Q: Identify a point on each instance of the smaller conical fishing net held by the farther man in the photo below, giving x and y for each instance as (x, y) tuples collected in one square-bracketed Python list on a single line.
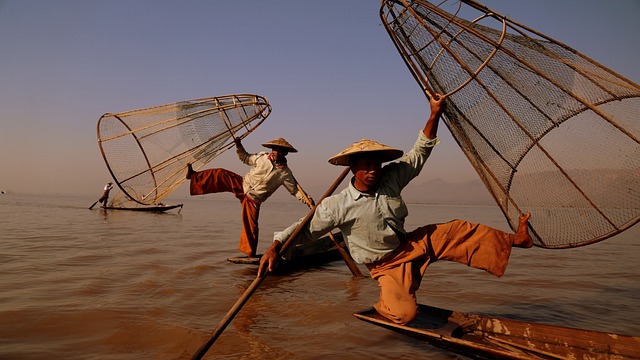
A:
[(147, 150)]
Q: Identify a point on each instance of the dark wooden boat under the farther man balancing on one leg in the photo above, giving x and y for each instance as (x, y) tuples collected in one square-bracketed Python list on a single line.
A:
[(303, 256)]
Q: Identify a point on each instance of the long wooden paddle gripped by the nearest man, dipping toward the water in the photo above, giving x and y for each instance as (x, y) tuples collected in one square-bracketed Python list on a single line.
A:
[(258, 280)]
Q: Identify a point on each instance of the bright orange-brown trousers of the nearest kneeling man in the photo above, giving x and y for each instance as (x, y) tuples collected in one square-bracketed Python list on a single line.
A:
[(399, 275)]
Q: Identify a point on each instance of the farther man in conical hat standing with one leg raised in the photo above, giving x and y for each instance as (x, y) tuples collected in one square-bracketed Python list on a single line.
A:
[(269, 171)]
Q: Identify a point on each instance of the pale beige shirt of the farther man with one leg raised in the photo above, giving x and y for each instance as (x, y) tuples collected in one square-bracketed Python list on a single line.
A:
[(265, 177)]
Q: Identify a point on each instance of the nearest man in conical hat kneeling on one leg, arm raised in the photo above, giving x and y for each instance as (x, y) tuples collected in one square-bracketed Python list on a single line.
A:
[(370, 213)]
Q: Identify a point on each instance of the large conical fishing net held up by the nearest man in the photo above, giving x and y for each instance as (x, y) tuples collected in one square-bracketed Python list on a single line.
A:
[(549, 130)]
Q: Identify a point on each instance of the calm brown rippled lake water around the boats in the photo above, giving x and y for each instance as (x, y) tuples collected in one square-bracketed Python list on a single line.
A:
[(80, 284)]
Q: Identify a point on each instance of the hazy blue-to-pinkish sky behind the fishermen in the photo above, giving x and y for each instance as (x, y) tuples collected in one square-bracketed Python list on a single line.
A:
[(328, 68)]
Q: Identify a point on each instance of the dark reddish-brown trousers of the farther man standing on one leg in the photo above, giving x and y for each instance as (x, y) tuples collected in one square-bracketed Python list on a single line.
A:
[(222, 180)]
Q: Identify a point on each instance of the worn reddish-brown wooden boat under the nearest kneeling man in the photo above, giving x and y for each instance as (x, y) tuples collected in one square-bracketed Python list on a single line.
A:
[(486, 337)]
